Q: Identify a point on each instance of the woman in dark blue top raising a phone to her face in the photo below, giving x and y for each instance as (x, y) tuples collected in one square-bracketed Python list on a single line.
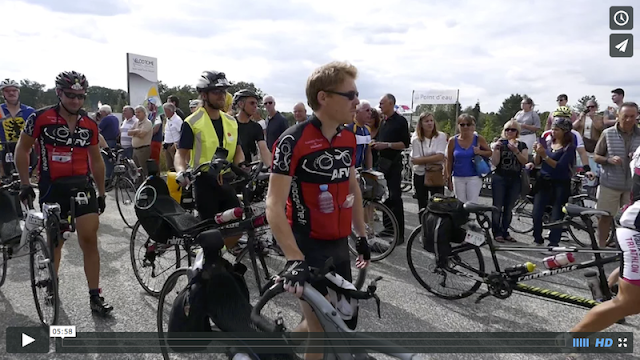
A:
[(557, 156)]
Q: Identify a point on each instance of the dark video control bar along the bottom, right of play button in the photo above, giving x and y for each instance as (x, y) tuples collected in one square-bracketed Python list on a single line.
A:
[(372, 342)]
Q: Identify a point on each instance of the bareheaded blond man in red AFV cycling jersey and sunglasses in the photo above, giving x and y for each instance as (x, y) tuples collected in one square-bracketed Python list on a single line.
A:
[(310, 158)]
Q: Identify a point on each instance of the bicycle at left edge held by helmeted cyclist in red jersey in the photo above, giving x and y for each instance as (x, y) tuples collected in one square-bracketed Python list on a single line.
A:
[(41, 253)]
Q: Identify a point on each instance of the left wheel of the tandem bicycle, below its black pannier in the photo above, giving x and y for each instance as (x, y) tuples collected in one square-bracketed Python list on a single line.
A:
[(412, 266)]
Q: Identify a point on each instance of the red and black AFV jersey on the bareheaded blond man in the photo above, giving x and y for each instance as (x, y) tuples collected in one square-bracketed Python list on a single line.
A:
[(303, 153)]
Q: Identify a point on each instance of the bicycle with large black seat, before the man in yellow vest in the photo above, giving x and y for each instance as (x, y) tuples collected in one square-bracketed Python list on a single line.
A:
[(180, 228)]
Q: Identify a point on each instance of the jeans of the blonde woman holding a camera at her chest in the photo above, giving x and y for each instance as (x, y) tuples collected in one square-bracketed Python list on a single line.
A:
[(506, 191)]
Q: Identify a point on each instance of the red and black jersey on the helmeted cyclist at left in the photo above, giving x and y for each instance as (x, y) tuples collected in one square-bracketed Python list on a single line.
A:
[(62, 153)]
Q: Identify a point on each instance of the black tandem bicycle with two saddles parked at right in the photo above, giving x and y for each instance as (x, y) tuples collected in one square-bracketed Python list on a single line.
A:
[(502, 283)]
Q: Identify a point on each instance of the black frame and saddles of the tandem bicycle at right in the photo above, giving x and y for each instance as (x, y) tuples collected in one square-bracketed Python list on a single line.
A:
[(515, 280)]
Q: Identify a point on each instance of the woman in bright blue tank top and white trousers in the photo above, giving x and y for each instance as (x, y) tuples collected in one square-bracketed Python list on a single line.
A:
[(461, 172)]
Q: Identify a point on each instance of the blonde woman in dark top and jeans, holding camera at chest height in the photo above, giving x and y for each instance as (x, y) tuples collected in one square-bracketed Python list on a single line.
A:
[(509, 156)]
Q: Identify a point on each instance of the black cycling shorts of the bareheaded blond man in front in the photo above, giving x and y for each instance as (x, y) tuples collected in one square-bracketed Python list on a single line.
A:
[(316, 253)]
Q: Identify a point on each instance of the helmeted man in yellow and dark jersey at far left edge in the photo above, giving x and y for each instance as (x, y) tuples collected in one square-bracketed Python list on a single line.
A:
[(12, 118)]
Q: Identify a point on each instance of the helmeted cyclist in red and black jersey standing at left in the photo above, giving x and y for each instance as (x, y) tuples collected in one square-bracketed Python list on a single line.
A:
[(67, 141)]
